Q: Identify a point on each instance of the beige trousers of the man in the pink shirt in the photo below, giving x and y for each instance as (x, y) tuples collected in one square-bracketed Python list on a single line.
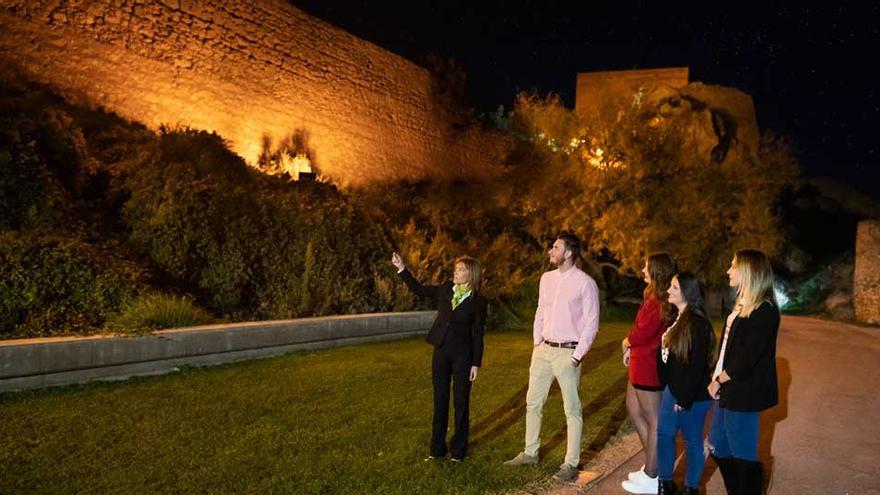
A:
[(549, 363)]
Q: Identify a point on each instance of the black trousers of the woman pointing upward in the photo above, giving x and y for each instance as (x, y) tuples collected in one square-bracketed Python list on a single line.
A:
[(451, 363)]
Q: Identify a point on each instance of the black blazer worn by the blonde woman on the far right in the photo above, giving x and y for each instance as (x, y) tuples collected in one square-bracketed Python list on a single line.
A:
[(750, 361)]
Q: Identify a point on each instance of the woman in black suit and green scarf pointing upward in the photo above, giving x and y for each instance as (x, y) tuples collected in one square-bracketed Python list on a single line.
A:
[(457, 337)]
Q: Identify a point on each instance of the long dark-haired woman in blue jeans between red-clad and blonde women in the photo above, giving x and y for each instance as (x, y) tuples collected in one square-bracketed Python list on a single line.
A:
[(683, 364)]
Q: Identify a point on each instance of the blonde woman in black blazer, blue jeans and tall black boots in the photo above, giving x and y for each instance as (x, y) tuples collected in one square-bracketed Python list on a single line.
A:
[(744, 381)]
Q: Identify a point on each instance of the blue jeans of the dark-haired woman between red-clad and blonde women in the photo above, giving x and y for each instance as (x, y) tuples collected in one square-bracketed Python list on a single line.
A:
[(691, 425)]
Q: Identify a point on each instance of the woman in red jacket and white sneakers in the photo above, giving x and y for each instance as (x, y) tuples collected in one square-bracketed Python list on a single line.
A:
[(640, 354)]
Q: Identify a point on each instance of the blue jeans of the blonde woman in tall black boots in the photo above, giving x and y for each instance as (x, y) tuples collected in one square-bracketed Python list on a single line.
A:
[(733, 433)]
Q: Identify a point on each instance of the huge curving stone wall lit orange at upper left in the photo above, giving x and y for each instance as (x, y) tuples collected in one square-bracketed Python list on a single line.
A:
[(244, 70)]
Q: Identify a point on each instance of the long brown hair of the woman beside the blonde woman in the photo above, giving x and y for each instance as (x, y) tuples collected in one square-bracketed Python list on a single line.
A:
[(678, 338)]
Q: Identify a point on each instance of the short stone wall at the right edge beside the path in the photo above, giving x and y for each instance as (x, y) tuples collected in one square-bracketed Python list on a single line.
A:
[(866, 279)]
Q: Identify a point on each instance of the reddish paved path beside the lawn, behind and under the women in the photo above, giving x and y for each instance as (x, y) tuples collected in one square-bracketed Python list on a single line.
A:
[(824, 437)]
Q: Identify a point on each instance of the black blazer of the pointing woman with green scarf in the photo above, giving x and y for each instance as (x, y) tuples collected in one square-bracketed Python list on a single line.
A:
[(464, 325)]
